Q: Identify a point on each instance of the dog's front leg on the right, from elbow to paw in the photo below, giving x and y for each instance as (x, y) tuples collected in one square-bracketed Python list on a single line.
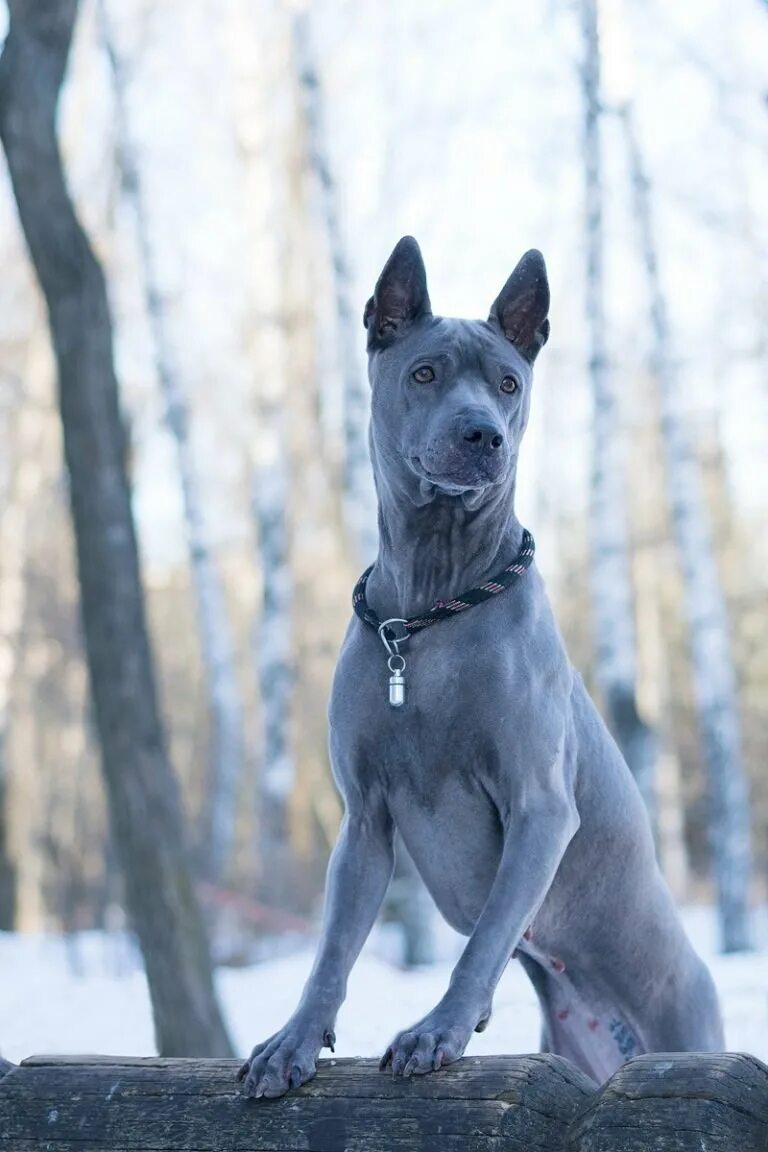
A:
[(535, 844)]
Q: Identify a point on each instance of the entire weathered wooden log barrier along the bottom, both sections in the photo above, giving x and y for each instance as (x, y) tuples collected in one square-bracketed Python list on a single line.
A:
[(681, 1103)]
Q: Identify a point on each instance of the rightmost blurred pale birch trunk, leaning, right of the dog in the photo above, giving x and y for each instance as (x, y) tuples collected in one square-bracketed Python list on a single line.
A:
[(714, 679)]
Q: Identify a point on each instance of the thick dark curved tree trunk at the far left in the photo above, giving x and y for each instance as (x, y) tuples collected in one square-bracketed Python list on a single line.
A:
[(142, 792)]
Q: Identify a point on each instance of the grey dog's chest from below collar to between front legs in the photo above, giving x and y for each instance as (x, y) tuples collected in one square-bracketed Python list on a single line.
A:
[(455, 757)]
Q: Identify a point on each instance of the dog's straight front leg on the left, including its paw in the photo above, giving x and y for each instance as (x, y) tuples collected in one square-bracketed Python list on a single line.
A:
[(359, 875)]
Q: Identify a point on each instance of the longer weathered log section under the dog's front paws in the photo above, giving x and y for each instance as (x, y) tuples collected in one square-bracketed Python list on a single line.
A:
[(492, 1104)]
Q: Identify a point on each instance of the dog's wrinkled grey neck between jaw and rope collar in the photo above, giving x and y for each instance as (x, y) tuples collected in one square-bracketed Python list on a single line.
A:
[(439, 550)]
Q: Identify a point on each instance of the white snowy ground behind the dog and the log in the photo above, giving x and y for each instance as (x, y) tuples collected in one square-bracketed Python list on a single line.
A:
[(89, 996)]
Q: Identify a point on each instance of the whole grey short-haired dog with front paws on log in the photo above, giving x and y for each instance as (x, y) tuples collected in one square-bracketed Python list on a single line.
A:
[(510, 793)]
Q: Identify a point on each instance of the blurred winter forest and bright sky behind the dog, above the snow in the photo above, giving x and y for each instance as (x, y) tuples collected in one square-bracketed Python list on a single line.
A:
[(241, 172)]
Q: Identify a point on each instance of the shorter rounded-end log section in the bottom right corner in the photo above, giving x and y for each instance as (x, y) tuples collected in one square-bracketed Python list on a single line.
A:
[(680, 1103)]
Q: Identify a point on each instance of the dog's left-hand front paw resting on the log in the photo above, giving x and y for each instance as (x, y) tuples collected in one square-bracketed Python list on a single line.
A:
[(286, 1060)]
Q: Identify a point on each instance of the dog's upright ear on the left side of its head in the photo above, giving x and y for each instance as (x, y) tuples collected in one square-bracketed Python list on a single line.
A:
[(400, 297)]
